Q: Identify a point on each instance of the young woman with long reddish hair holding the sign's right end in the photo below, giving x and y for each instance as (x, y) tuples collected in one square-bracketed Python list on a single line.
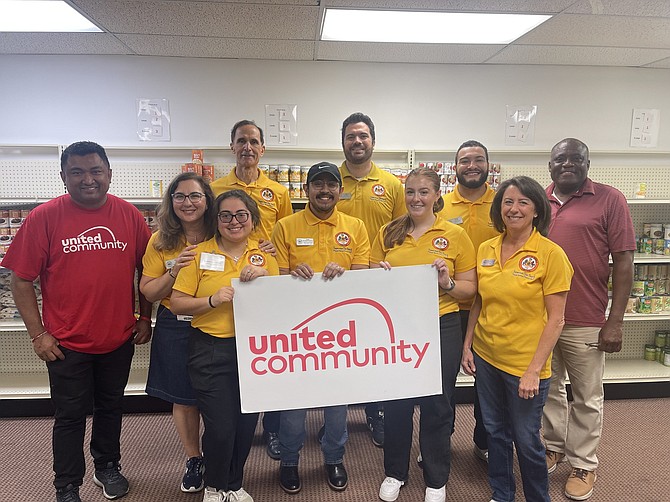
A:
[(422, 238)]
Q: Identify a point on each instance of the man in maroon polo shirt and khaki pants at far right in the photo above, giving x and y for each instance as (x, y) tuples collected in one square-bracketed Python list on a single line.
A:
[(590, 221)]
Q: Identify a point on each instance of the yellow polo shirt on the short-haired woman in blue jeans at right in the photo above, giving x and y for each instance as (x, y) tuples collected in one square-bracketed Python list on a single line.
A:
[(513, 311)]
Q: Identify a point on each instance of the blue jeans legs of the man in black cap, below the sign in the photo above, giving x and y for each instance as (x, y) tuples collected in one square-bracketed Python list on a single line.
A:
[(292, 435)]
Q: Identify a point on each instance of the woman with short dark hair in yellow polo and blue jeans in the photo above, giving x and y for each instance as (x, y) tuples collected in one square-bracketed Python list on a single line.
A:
[(515, 321)]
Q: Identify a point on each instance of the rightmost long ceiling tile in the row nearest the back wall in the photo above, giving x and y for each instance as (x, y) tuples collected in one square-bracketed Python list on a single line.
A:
[(593, 56)]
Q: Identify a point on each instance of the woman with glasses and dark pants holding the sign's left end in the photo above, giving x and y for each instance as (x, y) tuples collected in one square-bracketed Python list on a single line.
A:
[(203, 290)]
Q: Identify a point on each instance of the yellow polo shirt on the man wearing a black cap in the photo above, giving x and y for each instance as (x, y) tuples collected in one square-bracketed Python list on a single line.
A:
[(304, 238)]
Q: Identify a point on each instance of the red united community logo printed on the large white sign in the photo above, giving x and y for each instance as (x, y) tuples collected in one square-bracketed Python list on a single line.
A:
[(315, 344)]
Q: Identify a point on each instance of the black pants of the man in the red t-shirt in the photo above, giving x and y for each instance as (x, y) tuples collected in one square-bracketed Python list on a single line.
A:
[(80, 384)]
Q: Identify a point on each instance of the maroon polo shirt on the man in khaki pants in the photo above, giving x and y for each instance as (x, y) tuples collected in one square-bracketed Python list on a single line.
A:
[(590, 225)]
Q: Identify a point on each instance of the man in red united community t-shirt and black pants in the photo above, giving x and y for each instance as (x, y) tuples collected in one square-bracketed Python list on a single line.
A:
[(85, 247)]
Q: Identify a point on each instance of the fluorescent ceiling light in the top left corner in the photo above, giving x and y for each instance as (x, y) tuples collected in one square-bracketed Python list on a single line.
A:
[(41, 16)]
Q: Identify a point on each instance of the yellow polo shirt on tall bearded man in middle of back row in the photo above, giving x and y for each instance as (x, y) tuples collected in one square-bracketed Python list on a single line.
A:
[(376, 199)]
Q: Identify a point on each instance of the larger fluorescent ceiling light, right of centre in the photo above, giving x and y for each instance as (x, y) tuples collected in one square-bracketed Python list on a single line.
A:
[(426, 27)]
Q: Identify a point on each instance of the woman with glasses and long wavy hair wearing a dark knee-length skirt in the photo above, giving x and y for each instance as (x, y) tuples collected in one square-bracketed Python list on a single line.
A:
[(186, 217)]
